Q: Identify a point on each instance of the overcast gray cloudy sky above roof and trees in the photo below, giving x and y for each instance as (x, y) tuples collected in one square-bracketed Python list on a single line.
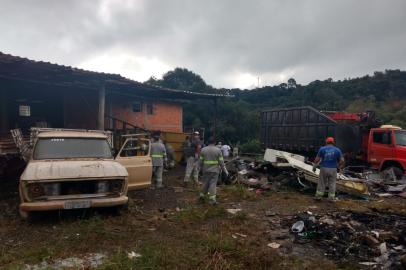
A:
[(230, 43)]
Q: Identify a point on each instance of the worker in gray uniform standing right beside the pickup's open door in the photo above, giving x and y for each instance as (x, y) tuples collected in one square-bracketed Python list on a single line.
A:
[(158, 156)]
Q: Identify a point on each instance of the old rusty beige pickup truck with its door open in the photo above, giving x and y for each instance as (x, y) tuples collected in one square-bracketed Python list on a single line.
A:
[(70, 169)]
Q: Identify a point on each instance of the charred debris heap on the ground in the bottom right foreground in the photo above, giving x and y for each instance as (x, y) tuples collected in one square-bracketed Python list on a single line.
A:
[(374, 240)]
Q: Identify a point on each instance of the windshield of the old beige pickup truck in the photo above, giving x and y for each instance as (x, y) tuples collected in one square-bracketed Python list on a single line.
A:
[(61, 148)]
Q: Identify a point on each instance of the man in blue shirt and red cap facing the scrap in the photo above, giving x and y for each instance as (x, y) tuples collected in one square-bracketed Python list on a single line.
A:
[(329, 157)]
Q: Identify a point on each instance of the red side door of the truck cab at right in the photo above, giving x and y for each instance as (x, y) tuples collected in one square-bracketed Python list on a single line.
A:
[(381, 147)]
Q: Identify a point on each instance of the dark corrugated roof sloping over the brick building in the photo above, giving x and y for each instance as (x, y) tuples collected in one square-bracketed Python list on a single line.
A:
[(31, 71)]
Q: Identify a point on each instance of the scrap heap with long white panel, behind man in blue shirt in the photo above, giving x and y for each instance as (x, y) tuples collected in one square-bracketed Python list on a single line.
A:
[(280, 165)]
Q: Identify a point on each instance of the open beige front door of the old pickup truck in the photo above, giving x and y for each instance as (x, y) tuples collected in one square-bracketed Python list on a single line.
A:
[(134, 155)]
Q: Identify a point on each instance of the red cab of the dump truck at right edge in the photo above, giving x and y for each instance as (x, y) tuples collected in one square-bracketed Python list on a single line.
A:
[(387, 149)]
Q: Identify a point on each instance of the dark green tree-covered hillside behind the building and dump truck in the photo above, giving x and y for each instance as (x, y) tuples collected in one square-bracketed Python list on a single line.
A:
[(239, 117)]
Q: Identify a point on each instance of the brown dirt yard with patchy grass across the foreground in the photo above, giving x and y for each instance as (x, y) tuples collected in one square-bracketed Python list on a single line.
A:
[(167, 229)]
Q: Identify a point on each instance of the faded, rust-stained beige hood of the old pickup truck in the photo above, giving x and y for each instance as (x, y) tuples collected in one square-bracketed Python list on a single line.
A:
[(68, 169)]
